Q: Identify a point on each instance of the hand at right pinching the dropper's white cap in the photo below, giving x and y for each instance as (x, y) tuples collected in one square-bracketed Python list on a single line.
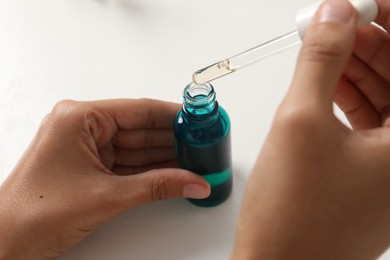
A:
[(320, 190)]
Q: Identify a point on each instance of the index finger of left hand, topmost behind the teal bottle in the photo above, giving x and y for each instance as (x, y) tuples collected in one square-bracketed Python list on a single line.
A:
[(139, 113)]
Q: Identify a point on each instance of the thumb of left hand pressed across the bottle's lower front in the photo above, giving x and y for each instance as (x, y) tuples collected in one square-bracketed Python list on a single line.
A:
[(160, 184)]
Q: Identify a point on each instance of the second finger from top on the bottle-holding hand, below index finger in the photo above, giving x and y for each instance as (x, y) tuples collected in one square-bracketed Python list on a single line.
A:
[(144, 138)]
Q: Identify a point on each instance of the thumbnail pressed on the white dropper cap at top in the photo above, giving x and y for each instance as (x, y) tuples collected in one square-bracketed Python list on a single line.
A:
[(336, 11)]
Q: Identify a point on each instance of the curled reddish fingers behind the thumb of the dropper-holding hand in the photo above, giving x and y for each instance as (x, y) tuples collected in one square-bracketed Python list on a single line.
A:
[(364, 92)]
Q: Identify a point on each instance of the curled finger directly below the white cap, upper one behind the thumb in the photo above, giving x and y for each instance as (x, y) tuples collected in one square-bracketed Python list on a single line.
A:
[(373, 47)]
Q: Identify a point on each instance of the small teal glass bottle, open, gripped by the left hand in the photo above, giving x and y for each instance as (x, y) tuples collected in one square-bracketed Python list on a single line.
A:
[(202, 135)]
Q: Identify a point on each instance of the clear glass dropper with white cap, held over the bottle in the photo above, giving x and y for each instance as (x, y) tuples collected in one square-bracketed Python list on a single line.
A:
[(366, 10)]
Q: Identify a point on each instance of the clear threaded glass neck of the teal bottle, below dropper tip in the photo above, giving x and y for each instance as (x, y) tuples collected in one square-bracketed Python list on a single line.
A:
[(199, 100)]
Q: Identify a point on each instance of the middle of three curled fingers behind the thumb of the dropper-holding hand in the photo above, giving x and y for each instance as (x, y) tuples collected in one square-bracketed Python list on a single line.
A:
[(370, 84)]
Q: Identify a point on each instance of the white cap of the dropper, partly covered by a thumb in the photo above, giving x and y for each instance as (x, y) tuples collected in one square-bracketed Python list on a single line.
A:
[(366, 10)]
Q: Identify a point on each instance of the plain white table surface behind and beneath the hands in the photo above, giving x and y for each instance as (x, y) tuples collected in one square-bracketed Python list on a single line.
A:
[(100, 49)]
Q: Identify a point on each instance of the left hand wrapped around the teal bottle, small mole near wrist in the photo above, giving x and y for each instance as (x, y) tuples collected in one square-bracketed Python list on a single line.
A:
[(68, 183)]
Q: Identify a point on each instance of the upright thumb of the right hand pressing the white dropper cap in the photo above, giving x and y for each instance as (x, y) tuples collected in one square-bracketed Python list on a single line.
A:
[(326, 48)]
